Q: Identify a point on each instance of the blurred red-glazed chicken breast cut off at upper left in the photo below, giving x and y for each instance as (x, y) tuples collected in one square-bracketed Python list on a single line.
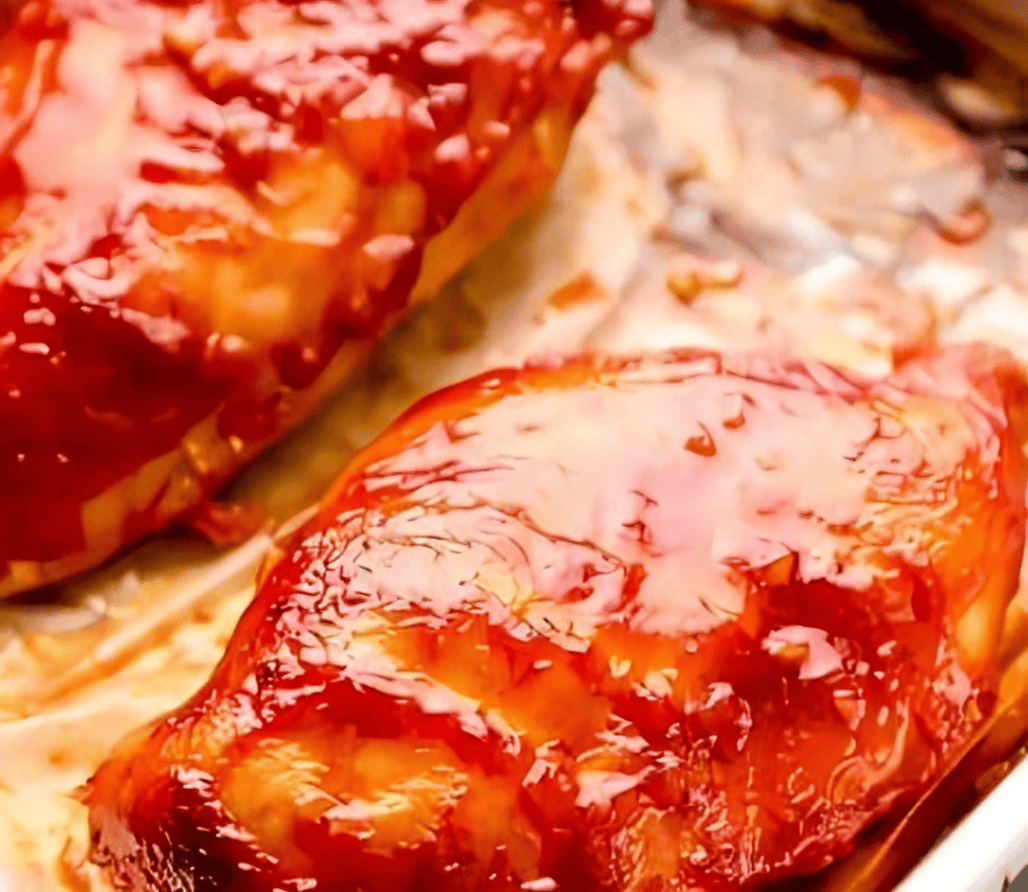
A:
[(210, 210)]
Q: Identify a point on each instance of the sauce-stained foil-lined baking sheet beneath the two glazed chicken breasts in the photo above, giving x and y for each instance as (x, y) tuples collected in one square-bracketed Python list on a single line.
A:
[(722, 192)]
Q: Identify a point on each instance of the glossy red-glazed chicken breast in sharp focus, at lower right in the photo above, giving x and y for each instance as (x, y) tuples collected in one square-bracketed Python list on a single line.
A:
[(681, 623)]
